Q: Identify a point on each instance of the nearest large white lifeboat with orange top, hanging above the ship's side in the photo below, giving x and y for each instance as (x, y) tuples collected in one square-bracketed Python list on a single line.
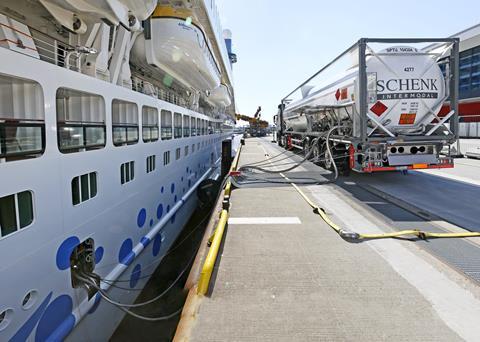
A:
[(176, 43)]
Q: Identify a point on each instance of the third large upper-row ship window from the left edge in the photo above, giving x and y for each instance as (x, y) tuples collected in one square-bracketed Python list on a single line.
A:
[(124, 122)]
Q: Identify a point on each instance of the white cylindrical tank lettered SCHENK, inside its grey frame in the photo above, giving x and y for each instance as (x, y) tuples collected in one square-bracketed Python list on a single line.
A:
[(405, 86)]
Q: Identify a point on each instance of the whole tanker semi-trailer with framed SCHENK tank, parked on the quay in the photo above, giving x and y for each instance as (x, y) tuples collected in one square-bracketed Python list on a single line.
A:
[(380, 111)]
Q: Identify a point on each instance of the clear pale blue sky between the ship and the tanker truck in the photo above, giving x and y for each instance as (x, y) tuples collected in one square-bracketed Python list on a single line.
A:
[(280, 43)]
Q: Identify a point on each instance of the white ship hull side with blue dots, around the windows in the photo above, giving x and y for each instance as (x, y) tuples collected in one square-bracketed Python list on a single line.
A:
[(132, 224)]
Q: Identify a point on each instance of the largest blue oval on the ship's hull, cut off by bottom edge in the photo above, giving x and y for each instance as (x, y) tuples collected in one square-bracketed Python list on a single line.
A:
[(57, 319)]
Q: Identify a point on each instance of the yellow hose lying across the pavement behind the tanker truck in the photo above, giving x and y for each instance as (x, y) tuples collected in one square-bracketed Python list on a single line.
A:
[(356, 236)]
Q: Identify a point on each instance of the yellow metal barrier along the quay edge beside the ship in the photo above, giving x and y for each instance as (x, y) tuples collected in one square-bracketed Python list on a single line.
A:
[(217, 238)]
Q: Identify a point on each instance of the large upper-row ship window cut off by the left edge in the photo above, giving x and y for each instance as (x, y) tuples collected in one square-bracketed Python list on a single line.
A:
[(22, 119)]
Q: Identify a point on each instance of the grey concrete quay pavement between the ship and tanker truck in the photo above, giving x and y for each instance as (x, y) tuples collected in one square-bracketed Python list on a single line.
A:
[(284, 275)]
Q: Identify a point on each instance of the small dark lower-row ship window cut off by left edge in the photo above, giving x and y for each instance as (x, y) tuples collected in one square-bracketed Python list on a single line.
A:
[(16, 212)]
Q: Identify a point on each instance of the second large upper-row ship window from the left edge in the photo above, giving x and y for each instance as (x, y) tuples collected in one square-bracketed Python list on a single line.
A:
[(80, 120)]
